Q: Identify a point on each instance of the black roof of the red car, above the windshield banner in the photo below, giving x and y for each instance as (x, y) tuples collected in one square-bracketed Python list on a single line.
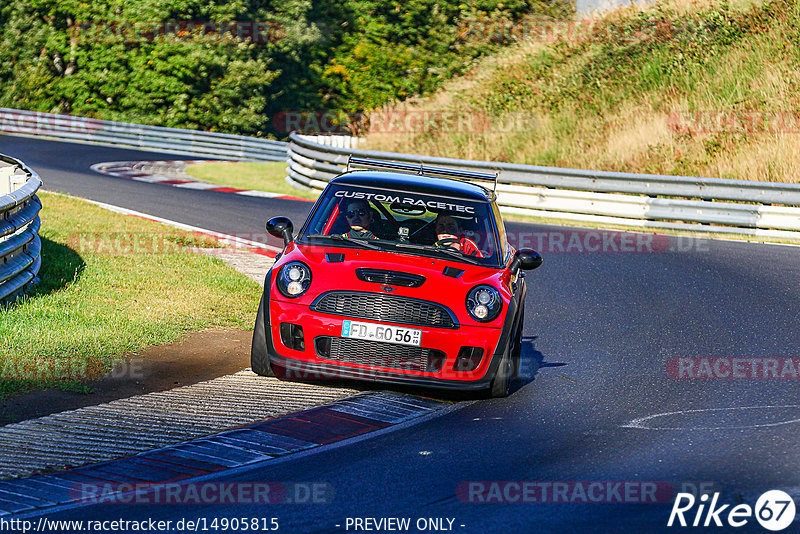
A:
[(403, 181)]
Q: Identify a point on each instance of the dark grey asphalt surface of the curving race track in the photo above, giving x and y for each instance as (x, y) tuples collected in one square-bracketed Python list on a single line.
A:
[(608, 335)]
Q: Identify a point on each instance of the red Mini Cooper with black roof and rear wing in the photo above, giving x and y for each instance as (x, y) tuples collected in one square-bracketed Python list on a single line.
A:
[(402, 274)]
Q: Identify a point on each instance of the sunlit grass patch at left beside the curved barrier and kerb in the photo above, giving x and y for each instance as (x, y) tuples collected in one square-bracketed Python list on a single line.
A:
[(112, 285)]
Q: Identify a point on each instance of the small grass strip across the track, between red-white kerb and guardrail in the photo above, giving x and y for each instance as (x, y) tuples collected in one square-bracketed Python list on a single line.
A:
[(261, 176)]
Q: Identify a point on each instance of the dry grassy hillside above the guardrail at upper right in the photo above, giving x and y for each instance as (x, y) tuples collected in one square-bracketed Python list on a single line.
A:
[(637, 106)]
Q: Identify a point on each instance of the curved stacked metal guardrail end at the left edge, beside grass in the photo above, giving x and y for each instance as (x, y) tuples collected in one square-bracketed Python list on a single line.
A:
[(20, 247)]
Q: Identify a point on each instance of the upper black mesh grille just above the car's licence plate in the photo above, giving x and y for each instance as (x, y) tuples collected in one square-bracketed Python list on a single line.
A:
[(378, 307)]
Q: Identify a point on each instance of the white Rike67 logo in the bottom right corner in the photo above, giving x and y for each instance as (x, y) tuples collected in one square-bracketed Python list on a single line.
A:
[(774, 510)]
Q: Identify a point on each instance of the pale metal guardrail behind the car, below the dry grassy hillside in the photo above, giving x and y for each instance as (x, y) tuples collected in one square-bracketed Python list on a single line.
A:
[(637, 200)]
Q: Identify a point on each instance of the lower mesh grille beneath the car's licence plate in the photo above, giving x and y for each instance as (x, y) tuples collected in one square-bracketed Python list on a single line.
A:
[(379, 354)]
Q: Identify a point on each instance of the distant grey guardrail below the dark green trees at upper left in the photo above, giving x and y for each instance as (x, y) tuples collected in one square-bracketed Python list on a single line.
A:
[(152, 138)]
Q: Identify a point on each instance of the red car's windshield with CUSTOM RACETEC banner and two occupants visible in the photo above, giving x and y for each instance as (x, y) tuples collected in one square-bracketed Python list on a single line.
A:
[(405, 221)]
